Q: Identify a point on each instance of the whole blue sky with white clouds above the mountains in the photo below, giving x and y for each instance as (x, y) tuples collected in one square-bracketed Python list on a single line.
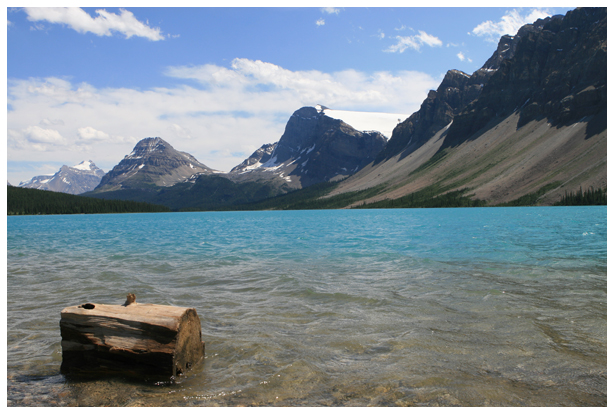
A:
[(218, 83)]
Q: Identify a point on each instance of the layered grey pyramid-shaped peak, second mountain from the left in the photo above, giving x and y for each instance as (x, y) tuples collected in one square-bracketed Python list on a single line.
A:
[(153, 162)]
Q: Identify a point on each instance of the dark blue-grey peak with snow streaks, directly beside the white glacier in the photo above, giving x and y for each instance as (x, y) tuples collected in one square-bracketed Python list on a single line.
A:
[(315, 148)]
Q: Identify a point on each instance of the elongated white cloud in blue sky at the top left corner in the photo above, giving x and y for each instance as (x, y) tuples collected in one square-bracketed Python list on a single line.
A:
[(103, 25)]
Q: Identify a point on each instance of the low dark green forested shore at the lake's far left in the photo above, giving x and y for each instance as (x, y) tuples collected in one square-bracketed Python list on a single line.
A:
[(28, 201)]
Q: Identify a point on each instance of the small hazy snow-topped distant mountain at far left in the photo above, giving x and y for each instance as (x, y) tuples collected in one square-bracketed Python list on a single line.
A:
[(77, 179)]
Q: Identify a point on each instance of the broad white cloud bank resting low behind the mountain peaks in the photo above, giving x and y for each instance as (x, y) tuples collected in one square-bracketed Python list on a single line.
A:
[(235, 111)]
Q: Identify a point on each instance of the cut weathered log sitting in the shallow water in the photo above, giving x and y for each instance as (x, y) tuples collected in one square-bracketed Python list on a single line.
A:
[(133, 339)]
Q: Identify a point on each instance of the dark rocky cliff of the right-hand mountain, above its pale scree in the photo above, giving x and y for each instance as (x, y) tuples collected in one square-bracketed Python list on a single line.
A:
[(553, 68)]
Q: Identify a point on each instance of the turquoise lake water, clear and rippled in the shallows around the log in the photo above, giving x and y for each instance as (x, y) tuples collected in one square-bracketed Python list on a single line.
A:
[(408, 307)]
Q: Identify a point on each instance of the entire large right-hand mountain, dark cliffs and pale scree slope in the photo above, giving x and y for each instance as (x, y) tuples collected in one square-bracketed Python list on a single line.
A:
[(531, 118)]
